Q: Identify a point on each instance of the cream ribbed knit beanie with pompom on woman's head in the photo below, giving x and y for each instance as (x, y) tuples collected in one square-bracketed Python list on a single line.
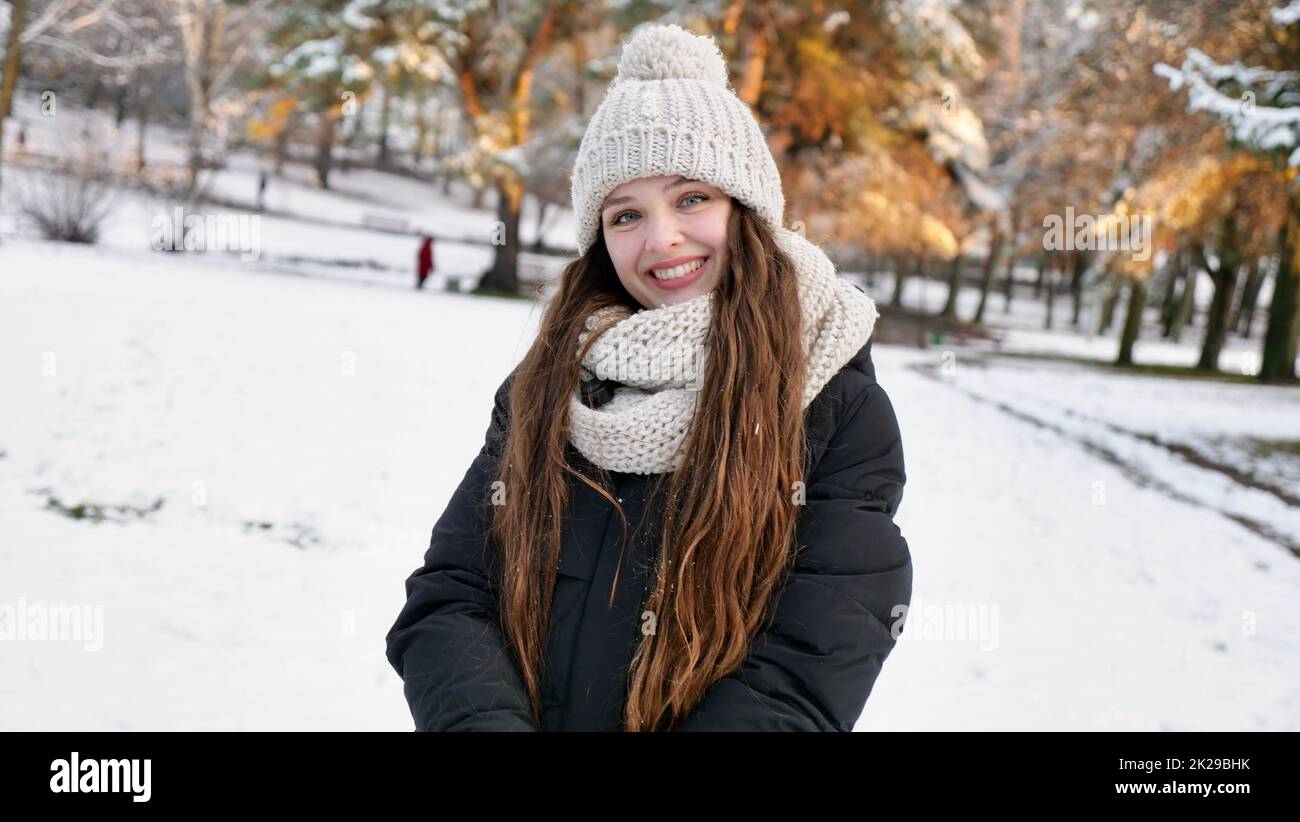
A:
[(671, 111)]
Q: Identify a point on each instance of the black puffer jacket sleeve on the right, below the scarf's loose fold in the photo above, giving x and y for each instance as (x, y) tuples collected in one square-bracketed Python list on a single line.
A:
[(813, 667)]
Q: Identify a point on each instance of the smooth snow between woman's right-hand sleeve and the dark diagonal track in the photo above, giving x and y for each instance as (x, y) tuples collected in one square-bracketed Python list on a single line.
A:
[(1104, 604)]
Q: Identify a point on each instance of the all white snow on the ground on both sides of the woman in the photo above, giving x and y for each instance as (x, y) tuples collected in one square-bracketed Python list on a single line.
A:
[(305, 434)]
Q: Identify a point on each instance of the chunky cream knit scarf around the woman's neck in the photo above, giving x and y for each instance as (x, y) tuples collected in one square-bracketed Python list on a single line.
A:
[(657, 358)]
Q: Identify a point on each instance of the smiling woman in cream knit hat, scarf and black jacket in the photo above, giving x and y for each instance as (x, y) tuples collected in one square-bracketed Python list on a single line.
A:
[(762, 468)]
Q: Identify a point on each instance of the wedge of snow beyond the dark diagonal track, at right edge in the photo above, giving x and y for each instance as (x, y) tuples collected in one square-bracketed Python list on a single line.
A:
[(1149, 425)]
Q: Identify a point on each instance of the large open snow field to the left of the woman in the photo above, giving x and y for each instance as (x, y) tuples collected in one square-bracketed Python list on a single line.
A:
[(340, 416)]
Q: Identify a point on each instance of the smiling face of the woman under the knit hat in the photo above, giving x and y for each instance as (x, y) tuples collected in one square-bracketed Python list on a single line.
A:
[(660, 230)]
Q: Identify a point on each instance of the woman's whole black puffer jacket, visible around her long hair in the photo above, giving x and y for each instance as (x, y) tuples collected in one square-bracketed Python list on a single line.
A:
[(812, 669)]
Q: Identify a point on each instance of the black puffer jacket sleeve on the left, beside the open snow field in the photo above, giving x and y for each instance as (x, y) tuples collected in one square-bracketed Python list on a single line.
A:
[(447, 644)]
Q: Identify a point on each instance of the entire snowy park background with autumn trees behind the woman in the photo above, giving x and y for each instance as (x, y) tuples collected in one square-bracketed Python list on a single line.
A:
[(265, 265)]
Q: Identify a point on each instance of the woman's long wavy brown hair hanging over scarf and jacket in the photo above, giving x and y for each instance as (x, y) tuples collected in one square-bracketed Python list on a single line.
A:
[(730, 514)]
